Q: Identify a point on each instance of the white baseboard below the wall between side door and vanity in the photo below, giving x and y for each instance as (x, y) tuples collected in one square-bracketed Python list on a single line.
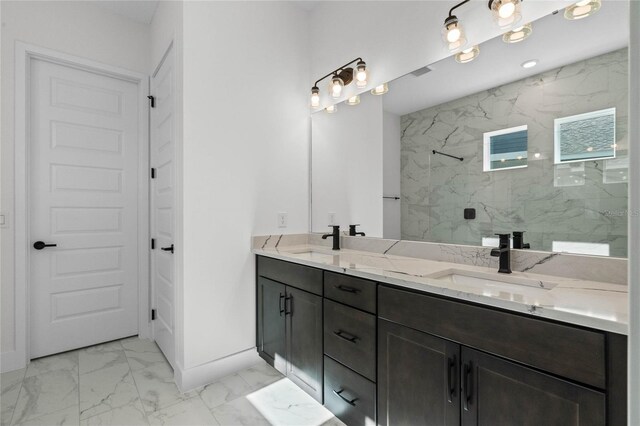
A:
[(192, 378)]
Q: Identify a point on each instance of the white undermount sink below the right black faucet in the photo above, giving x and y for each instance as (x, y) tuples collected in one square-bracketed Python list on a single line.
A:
[(485, 279)]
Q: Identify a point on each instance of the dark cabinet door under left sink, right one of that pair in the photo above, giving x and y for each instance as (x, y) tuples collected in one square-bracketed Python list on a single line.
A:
[(304, 341)]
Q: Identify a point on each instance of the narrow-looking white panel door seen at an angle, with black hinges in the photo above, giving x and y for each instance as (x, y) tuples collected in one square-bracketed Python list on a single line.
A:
[(163, 206)]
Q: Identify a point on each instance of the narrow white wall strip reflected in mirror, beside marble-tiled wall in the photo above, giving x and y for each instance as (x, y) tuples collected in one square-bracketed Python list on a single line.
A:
[(391, 175)]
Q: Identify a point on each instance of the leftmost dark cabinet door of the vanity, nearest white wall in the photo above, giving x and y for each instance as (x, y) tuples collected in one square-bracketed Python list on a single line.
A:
[(271, 323)]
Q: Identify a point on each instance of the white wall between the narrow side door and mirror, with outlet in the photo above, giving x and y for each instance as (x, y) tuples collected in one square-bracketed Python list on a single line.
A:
[(246, 141)]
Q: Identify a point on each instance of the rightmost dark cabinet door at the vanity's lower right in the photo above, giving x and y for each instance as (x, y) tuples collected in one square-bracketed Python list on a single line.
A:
[(499, 392)]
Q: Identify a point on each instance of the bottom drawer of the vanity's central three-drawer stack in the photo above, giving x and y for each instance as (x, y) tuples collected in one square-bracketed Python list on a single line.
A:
[(349, 396)]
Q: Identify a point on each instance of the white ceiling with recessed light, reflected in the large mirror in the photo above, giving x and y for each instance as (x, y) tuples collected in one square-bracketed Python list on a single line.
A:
[(555, 42)]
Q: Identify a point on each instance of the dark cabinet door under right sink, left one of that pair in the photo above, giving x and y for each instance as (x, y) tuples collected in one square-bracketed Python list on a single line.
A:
[(418, 377)]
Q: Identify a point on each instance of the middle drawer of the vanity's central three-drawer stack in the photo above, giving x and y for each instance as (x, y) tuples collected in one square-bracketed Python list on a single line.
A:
[(350, 337)]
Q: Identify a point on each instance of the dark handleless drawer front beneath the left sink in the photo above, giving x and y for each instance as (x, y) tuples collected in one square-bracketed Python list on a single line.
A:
[(299, 276)]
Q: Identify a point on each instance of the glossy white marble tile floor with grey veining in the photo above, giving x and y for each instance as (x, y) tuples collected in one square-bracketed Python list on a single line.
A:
[(129, 382)]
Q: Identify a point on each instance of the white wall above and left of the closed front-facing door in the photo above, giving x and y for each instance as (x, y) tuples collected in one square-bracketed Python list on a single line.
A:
[(78, 28)]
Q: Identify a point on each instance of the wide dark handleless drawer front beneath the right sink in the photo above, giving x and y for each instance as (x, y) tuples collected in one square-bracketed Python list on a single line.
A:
[(567, 351)]
